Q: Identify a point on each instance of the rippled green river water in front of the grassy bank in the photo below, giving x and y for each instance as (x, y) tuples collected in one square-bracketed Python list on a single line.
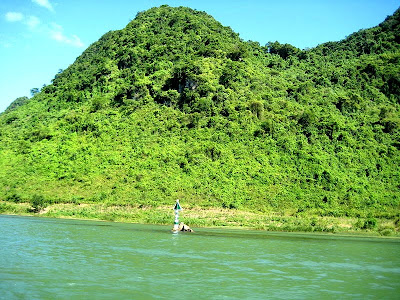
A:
[(44, 258)]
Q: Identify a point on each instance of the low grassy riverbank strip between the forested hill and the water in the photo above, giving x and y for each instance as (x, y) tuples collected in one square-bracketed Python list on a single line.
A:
[(211, 217)]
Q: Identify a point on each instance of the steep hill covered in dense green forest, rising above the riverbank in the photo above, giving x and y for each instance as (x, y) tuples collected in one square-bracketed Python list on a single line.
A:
[(175, 105)]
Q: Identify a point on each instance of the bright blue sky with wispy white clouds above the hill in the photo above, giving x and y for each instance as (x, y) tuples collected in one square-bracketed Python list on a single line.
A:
[(39, 37)]
